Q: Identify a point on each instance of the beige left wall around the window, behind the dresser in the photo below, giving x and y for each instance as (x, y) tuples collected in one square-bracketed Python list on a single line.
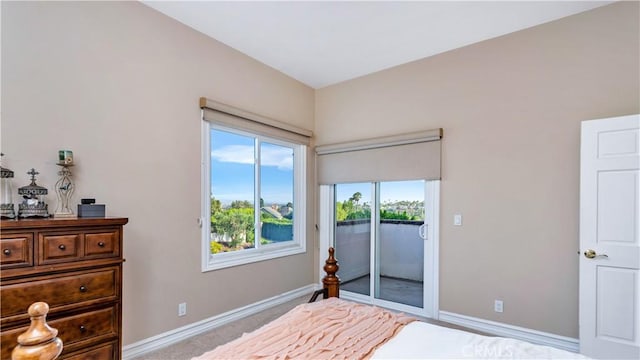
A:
[(118, 83)]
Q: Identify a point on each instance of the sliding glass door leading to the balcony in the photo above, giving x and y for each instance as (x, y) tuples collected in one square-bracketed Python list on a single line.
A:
[(380, 233)]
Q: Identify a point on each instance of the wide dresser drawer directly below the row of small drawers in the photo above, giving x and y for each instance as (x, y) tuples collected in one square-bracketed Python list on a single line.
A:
[(61, 292)]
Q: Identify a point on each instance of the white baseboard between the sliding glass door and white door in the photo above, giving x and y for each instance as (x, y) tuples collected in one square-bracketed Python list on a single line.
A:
[(516, 332)]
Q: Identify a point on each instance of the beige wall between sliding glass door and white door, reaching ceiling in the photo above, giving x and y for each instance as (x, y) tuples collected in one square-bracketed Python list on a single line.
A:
[(511, 109)]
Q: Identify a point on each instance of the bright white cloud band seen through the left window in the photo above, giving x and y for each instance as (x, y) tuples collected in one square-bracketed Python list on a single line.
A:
[(277, 156)]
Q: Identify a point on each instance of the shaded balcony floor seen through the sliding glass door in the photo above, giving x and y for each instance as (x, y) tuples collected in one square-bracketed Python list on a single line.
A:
[(391, 289)]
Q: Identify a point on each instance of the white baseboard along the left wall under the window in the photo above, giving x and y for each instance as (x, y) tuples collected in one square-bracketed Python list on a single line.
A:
[(182, 333)]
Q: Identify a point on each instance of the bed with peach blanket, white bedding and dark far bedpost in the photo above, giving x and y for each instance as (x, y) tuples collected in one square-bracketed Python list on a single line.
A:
[(340, 329)]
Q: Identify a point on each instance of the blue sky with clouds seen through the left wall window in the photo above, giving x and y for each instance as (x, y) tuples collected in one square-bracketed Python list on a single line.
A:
[(232, 168)]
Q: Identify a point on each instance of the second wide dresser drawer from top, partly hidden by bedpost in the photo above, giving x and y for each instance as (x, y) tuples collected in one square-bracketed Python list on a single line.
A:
[(73, 330)]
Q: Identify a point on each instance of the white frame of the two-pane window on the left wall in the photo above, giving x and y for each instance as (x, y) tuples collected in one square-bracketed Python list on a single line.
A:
[(259, 253)]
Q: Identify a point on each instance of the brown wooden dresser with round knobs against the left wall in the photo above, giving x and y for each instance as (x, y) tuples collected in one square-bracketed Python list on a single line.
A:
[(74, 265)]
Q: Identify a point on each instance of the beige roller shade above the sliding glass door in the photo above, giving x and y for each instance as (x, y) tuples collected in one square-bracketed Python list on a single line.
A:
[(402, 157)]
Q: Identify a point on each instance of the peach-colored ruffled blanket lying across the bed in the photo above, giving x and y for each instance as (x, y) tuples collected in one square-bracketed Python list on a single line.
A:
[(328, 329)]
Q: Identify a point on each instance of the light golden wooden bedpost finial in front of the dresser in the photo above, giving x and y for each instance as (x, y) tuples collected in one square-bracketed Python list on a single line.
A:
[(39, 342)]
